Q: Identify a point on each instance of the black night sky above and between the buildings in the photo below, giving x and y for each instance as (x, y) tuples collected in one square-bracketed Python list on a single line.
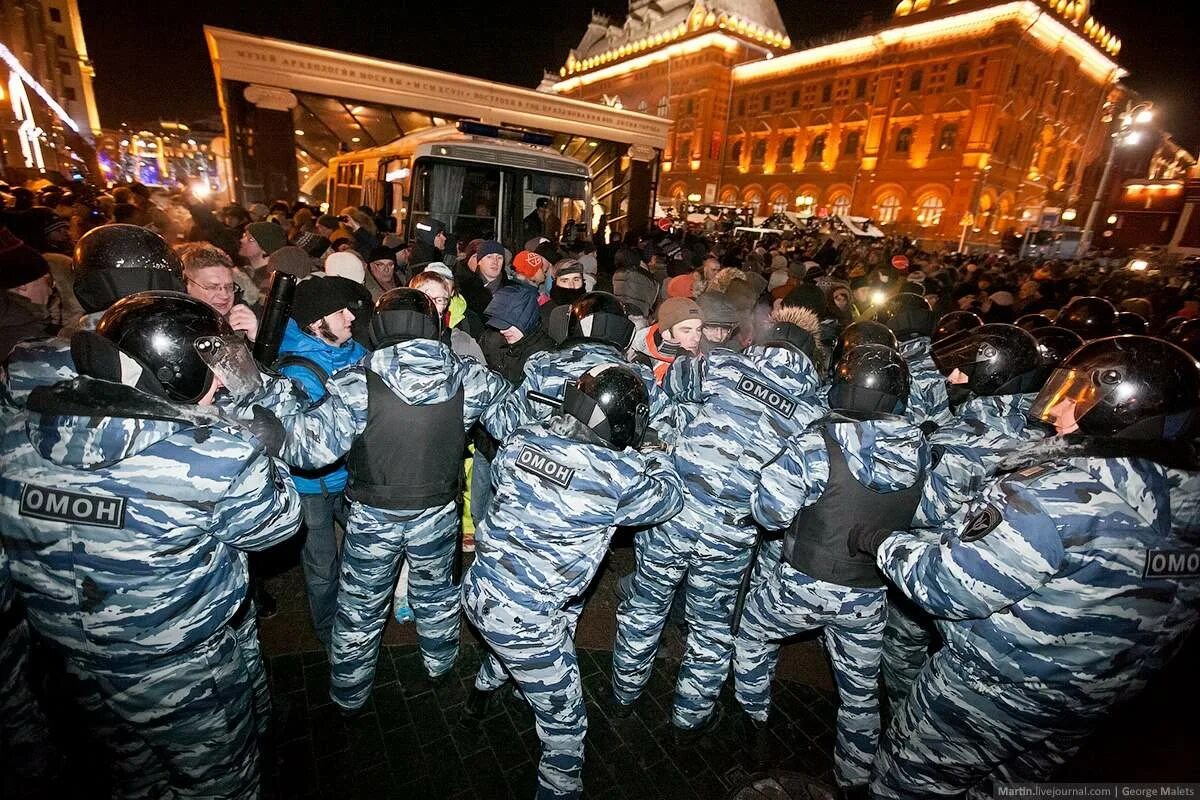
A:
[(152, 61)]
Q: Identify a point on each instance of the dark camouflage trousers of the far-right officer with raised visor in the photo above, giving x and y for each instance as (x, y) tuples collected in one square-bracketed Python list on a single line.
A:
[(959, 730)]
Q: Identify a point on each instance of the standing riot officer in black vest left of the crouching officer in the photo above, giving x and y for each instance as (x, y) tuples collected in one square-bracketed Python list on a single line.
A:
[(409, 410)]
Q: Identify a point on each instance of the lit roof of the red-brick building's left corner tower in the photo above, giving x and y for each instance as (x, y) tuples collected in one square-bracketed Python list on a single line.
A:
[(652, 25)]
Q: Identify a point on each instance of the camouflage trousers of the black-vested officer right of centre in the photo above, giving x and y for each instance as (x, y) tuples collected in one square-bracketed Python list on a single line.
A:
[(791, 603)]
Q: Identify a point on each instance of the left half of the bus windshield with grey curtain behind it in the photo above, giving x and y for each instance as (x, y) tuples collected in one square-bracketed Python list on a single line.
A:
[(465, 197)]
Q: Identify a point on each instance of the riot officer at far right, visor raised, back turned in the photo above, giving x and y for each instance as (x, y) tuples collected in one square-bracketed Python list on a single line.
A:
[(1067, 587)]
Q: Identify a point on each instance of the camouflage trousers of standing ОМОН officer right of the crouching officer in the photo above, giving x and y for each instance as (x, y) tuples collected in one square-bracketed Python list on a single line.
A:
[(682, 549)]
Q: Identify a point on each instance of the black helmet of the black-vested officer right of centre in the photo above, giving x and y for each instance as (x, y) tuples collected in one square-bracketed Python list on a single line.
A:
[(869, 382)]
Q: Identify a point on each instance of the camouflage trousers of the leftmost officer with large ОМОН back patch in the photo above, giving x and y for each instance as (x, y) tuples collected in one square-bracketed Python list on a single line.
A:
[(182, 726)]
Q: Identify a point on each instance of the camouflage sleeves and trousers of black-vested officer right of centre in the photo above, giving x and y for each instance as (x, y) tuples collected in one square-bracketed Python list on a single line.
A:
[(883, 455)]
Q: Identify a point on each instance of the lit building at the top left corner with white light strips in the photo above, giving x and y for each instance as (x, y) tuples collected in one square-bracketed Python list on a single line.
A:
[(49, 115)]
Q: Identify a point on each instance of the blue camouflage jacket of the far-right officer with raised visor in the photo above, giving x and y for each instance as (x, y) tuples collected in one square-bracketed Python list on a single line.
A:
[(1061, 575)]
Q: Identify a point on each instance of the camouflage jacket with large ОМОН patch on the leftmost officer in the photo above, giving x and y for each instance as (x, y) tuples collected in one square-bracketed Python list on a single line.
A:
[(125, 518)]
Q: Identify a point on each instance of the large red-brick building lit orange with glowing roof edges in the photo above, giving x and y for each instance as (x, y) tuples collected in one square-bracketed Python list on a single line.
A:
[(976, 113)]
